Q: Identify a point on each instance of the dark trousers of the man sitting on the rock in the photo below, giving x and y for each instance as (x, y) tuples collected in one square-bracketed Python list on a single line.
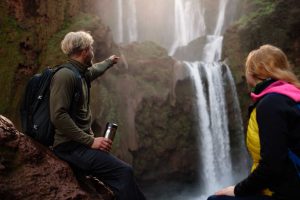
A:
[(107, 168)]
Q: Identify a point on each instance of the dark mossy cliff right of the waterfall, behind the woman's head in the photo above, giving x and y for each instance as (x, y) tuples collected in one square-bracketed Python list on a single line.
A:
[(267, 22)]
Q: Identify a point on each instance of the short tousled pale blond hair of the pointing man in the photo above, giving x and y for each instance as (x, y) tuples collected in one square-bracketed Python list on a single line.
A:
[(75, 42)]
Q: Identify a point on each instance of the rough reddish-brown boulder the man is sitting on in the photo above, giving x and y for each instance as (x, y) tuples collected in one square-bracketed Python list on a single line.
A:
[(30, 171)]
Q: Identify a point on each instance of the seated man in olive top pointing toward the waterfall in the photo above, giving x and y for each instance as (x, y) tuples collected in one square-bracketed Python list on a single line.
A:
[(70, 113)]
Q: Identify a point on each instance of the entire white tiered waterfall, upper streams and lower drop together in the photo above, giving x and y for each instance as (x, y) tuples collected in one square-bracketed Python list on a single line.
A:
[(212, 78)]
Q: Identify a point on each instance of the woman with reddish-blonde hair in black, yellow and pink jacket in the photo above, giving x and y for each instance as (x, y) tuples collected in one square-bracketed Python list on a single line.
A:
[(273, 134)]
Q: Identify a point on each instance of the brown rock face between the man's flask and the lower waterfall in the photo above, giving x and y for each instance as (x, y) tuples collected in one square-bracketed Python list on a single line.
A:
[(149, 95)]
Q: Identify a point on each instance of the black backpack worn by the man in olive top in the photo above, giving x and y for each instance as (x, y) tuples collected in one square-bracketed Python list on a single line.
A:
[(35, 113)]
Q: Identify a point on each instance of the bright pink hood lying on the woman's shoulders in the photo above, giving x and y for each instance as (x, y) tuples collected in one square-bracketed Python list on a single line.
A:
[(280, 87)]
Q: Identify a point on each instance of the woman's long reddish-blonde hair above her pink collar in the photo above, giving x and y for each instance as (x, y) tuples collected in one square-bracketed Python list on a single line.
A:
[(270, 62)]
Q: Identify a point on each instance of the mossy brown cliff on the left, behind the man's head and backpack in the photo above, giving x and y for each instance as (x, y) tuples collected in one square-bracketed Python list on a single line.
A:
[(31, 32)]
